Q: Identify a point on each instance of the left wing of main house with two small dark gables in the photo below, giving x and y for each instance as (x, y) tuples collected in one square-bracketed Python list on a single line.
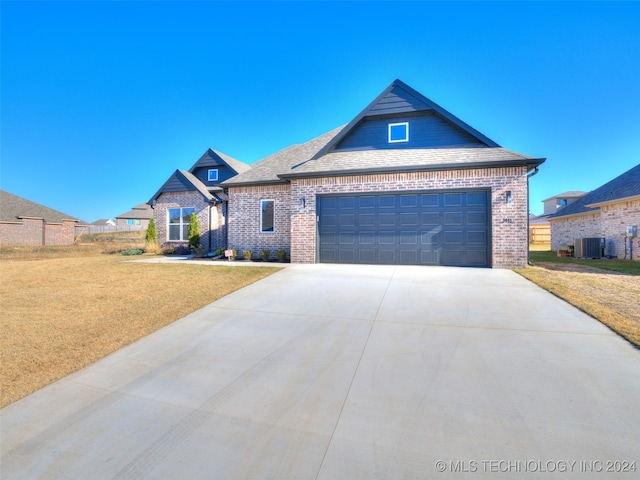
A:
[(196, 190)]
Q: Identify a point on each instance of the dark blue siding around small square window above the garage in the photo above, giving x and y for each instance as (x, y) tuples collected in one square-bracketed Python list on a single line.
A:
[(425, 131)]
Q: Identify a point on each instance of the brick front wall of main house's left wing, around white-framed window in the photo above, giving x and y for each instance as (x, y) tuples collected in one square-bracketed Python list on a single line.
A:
[(210, 219)]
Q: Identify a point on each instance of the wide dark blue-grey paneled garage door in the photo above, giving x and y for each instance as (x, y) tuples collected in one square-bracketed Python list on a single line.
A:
[(417, 228)]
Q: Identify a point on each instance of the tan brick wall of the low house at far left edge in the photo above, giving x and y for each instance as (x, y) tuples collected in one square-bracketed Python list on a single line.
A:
[(36, 232)]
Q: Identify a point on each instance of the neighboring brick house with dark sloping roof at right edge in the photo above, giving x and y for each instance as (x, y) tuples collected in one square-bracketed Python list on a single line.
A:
[(606, 212)]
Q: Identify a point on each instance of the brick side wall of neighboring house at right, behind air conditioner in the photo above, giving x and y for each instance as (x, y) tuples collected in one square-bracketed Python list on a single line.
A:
[(610, 222)]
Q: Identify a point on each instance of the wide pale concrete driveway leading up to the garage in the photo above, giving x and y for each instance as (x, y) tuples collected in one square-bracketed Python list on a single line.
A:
[(347, 372)]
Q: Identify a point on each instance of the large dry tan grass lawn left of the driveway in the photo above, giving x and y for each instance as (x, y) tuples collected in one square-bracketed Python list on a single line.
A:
[(61, 314)]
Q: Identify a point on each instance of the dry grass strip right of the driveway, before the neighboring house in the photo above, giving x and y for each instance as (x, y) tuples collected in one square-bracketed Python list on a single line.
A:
[(612, 297)]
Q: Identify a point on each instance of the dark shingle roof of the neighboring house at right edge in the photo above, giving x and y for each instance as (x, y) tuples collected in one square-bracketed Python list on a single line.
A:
[(623, 186)]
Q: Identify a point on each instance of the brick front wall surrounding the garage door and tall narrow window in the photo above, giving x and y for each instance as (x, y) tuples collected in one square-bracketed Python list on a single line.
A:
[(296, 226)]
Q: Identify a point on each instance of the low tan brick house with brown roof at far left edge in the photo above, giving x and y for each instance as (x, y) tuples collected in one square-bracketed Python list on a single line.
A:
[(23, 222)]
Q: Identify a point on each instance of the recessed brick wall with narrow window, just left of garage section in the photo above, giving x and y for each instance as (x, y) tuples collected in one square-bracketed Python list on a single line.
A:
[(244, 218)]
